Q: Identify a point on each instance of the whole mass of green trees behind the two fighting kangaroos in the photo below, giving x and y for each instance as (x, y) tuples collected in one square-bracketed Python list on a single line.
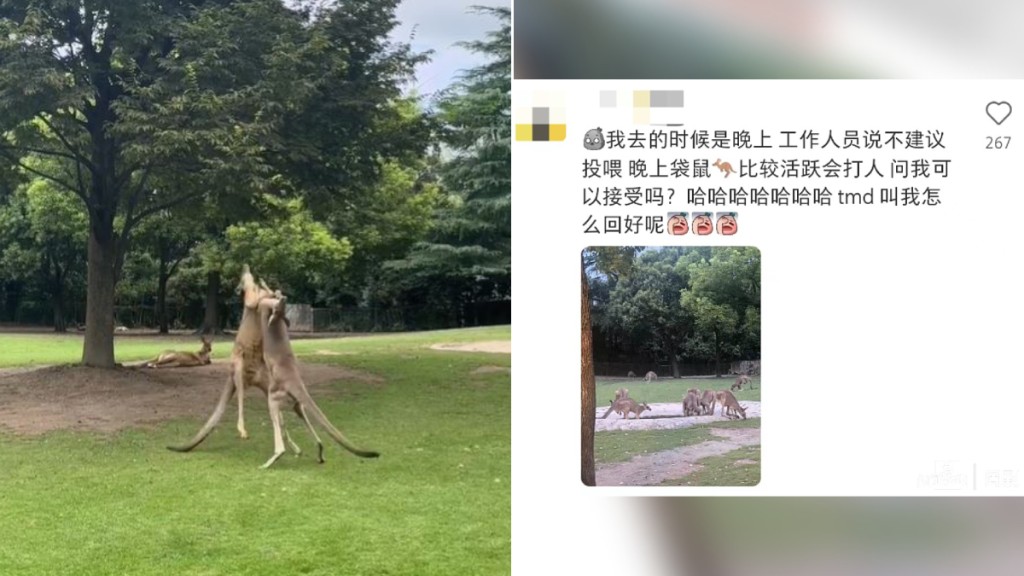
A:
[(175, 141)]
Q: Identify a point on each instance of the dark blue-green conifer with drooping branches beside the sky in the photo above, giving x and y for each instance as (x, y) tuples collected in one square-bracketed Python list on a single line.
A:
[(468, 254)]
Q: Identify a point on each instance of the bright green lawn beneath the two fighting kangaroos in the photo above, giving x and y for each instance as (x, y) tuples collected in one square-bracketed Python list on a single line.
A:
[(438, 502)]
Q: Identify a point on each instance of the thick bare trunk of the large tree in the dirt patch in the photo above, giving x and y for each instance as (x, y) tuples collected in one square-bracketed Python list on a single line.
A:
[(99, 349)]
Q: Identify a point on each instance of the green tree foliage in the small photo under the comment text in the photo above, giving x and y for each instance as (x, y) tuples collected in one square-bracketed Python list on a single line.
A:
[(673, 304)]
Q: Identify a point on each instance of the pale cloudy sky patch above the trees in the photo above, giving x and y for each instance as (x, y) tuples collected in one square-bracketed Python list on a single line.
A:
[(442, 24)]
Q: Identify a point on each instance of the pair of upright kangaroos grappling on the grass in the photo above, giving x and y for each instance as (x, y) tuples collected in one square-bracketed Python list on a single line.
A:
[(263, 358)]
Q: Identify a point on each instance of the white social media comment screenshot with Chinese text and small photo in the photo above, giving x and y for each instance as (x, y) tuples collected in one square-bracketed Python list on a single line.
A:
[(787, 289)]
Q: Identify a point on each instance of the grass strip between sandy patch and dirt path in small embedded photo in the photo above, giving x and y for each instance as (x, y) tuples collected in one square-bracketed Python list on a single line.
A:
[(619, 446)]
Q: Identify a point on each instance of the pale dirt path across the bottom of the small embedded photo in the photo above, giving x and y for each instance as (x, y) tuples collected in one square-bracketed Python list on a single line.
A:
[(654, 469)]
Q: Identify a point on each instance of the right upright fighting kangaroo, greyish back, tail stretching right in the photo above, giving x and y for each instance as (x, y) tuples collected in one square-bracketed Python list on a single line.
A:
[(286, 384)]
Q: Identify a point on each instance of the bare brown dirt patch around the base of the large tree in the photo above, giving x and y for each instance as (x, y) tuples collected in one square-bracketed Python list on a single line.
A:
[(40, 400)]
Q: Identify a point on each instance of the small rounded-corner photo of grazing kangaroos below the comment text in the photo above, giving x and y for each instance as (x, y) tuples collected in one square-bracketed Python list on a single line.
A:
[(672, 359)]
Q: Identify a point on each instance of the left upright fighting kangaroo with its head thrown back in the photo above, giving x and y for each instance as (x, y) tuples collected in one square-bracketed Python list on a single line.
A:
[(248, 368)]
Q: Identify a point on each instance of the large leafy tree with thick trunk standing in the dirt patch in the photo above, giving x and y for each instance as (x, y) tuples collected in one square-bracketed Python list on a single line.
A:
[(226, 93)]
